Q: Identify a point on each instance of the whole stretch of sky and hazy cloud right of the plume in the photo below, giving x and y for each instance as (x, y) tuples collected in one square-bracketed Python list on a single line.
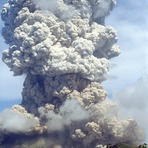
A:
[(130, 91)]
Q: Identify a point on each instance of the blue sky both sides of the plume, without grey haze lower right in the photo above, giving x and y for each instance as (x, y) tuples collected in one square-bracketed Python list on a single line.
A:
[(130, 20)]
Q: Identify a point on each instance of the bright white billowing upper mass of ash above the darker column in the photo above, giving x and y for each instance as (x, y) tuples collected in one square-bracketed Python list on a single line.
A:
[(47, 45)]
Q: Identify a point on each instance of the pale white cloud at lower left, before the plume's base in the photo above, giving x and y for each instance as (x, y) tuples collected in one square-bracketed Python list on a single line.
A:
[(17, 120)]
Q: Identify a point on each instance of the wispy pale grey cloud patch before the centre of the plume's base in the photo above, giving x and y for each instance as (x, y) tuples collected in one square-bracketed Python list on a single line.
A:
[(69, 112)]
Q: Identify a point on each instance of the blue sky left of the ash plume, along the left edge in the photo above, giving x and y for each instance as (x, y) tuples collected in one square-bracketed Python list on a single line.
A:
[(10, 87)]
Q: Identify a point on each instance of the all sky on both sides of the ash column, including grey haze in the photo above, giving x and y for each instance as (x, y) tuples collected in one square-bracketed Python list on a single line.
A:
[(128, 81)]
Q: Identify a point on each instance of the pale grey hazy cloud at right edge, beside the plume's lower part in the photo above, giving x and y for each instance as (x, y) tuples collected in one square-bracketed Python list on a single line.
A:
[(133, 101)]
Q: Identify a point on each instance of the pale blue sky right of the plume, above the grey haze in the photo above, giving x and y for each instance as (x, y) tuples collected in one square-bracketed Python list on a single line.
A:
[(131, 21)]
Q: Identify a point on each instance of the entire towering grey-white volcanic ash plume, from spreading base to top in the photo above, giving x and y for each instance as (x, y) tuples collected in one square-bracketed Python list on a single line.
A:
[(63, 47)]
